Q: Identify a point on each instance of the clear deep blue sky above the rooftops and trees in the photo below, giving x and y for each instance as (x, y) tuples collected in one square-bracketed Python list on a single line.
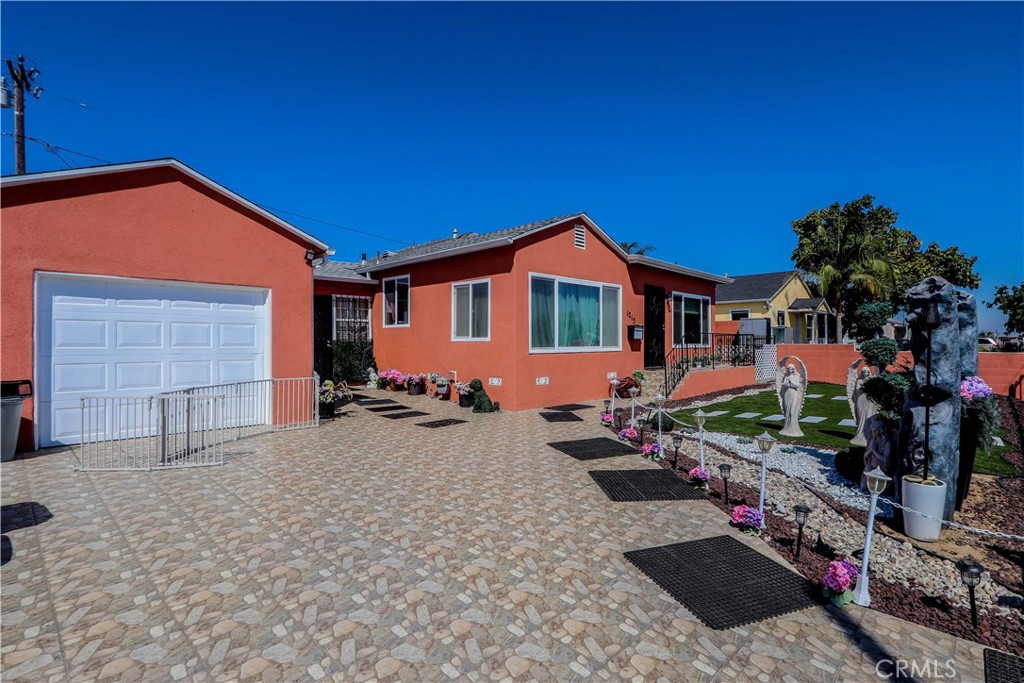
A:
[(703, 130)]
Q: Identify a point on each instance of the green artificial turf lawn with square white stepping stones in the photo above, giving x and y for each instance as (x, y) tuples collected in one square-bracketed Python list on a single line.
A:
[(826, 435)]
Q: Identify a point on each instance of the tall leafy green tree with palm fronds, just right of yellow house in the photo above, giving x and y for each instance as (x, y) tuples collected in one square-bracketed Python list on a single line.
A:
[(841, 249)]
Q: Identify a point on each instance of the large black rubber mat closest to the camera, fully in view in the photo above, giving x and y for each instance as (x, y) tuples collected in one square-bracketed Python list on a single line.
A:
[(724, 583)]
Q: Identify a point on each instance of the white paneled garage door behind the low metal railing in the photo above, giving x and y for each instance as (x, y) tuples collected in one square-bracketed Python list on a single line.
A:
[(121, 337)]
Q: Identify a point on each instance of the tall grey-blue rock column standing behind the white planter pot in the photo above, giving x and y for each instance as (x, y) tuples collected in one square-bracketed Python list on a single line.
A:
[(933, 318)]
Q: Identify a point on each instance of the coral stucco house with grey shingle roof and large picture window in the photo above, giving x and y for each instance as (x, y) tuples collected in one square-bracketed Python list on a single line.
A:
[(542, 314)]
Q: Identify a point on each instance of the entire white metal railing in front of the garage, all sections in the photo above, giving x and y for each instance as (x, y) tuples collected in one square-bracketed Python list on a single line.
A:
[(189, 428)]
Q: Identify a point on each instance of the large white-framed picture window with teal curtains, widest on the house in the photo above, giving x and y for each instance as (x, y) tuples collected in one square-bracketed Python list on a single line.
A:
[(574, 316)]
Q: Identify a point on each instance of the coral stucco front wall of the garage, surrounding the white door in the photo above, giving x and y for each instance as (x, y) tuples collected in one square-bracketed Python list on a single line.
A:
[(154, 224)]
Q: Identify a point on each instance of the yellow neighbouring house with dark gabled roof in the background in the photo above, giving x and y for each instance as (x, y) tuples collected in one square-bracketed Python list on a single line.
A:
[(795, 315)]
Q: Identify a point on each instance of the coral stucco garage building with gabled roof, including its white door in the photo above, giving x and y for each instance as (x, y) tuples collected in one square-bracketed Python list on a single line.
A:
[(144, 278)]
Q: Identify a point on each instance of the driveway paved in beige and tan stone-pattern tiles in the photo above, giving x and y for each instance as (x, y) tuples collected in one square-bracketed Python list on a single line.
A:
[(375, 549)]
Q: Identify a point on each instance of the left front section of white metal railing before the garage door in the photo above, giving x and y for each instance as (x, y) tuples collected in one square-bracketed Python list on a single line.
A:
[(151, 433)]
